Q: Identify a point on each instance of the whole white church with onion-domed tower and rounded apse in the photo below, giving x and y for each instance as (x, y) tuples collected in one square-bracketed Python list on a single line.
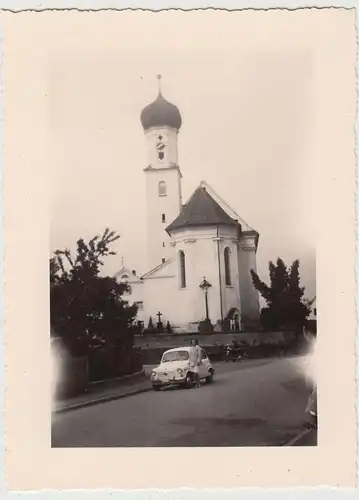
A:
[(199, 253)]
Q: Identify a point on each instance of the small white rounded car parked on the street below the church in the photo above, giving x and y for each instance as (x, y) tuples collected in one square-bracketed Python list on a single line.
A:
[(174, 369)]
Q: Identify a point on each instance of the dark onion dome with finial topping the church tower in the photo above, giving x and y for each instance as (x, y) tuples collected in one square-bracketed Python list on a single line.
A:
[(161, 113)]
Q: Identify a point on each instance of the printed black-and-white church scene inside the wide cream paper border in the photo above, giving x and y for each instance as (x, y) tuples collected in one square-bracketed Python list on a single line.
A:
[(182, 267)]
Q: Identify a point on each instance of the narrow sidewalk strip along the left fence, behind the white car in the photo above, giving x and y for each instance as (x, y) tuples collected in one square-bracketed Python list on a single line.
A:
[(100, 392)]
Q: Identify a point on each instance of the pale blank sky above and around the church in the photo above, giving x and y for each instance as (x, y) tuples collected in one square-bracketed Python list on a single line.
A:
[(248, 129)]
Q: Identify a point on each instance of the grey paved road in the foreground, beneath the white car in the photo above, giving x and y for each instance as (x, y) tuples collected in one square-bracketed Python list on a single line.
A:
[(251, 403)]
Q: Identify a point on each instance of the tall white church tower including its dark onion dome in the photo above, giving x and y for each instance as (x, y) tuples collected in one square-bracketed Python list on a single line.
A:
[(161, 122)]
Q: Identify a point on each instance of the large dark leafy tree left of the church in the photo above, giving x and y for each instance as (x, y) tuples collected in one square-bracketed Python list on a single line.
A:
[(86, 308)]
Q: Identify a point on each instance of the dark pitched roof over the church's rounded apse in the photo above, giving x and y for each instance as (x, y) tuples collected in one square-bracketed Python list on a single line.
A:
[(200, 210)]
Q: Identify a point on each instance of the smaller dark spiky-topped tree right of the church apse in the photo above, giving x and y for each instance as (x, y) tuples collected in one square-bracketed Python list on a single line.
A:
[(284, 297)]
